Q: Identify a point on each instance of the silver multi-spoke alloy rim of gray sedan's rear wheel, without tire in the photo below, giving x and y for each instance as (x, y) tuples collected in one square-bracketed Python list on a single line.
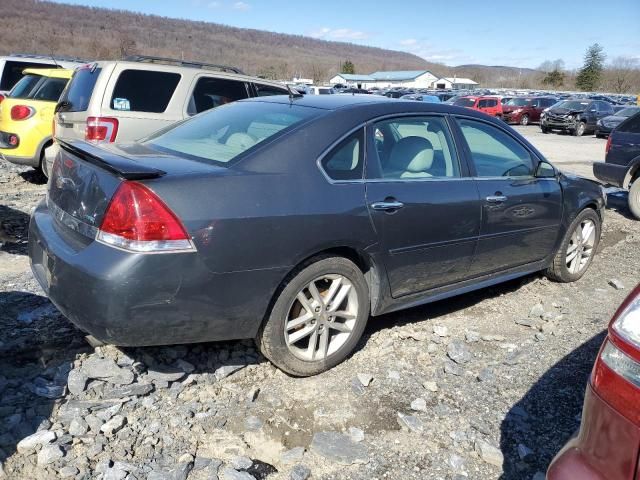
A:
[(321, 318)]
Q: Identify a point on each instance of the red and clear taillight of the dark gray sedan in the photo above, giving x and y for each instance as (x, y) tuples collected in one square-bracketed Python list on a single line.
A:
[(137, 220)]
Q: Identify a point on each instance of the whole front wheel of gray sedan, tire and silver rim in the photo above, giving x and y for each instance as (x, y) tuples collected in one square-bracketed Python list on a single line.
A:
[(575, 254)]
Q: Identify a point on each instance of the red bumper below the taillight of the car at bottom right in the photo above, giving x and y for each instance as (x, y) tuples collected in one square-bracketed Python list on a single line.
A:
[(606, 447)]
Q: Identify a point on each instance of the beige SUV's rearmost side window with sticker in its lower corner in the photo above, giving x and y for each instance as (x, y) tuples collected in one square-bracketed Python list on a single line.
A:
[(144, 91)]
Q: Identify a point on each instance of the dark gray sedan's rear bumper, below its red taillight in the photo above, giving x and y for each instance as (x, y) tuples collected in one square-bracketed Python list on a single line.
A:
[(132, 299)]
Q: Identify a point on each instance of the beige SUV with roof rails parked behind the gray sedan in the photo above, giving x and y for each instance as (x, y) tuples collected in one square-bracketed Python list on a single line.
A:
[(120, 101)]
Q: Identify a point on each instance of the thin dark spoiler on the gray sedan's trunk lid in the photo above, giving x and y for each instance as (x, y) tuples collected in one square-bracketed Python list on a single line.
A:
[(119, 165)]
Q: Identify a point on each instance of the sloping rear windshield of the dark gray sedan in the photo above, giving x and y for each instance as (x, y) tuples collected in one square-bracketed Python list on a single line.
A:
[(222, 134)]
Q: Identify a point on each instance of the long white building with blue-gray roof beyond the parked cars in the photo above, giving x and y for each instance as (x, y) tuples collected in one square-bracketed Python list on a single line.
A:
[(405, 78)]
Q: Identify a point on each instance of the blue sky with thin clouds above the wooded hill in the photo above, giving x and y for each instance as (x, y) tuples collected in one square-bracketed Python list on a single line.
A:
[(489, 32)]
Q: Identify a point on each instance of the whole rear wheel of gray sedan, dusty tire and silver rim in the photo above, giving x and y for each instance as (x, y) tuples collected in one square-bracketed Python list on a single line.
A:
[(276, 341)]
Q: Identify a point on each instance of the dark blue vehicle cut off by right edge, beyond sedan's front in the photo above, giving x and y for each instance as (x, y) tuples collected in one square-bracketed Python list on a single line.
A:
[(621, 167)]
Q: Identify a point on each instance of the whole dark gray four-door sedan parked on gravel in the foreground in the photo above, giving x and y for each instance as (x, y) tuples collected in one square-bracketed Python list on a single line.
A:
[(291, 220)]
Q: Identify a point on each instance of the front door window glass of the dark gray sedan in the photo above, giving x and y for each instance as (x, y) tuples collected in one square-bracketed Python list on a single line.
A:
[(495, 153)]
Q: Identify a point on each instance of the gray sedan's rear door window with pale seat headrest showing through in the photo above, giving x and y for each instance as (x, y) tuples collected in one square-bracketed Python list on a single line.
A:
[(414, 148)]
